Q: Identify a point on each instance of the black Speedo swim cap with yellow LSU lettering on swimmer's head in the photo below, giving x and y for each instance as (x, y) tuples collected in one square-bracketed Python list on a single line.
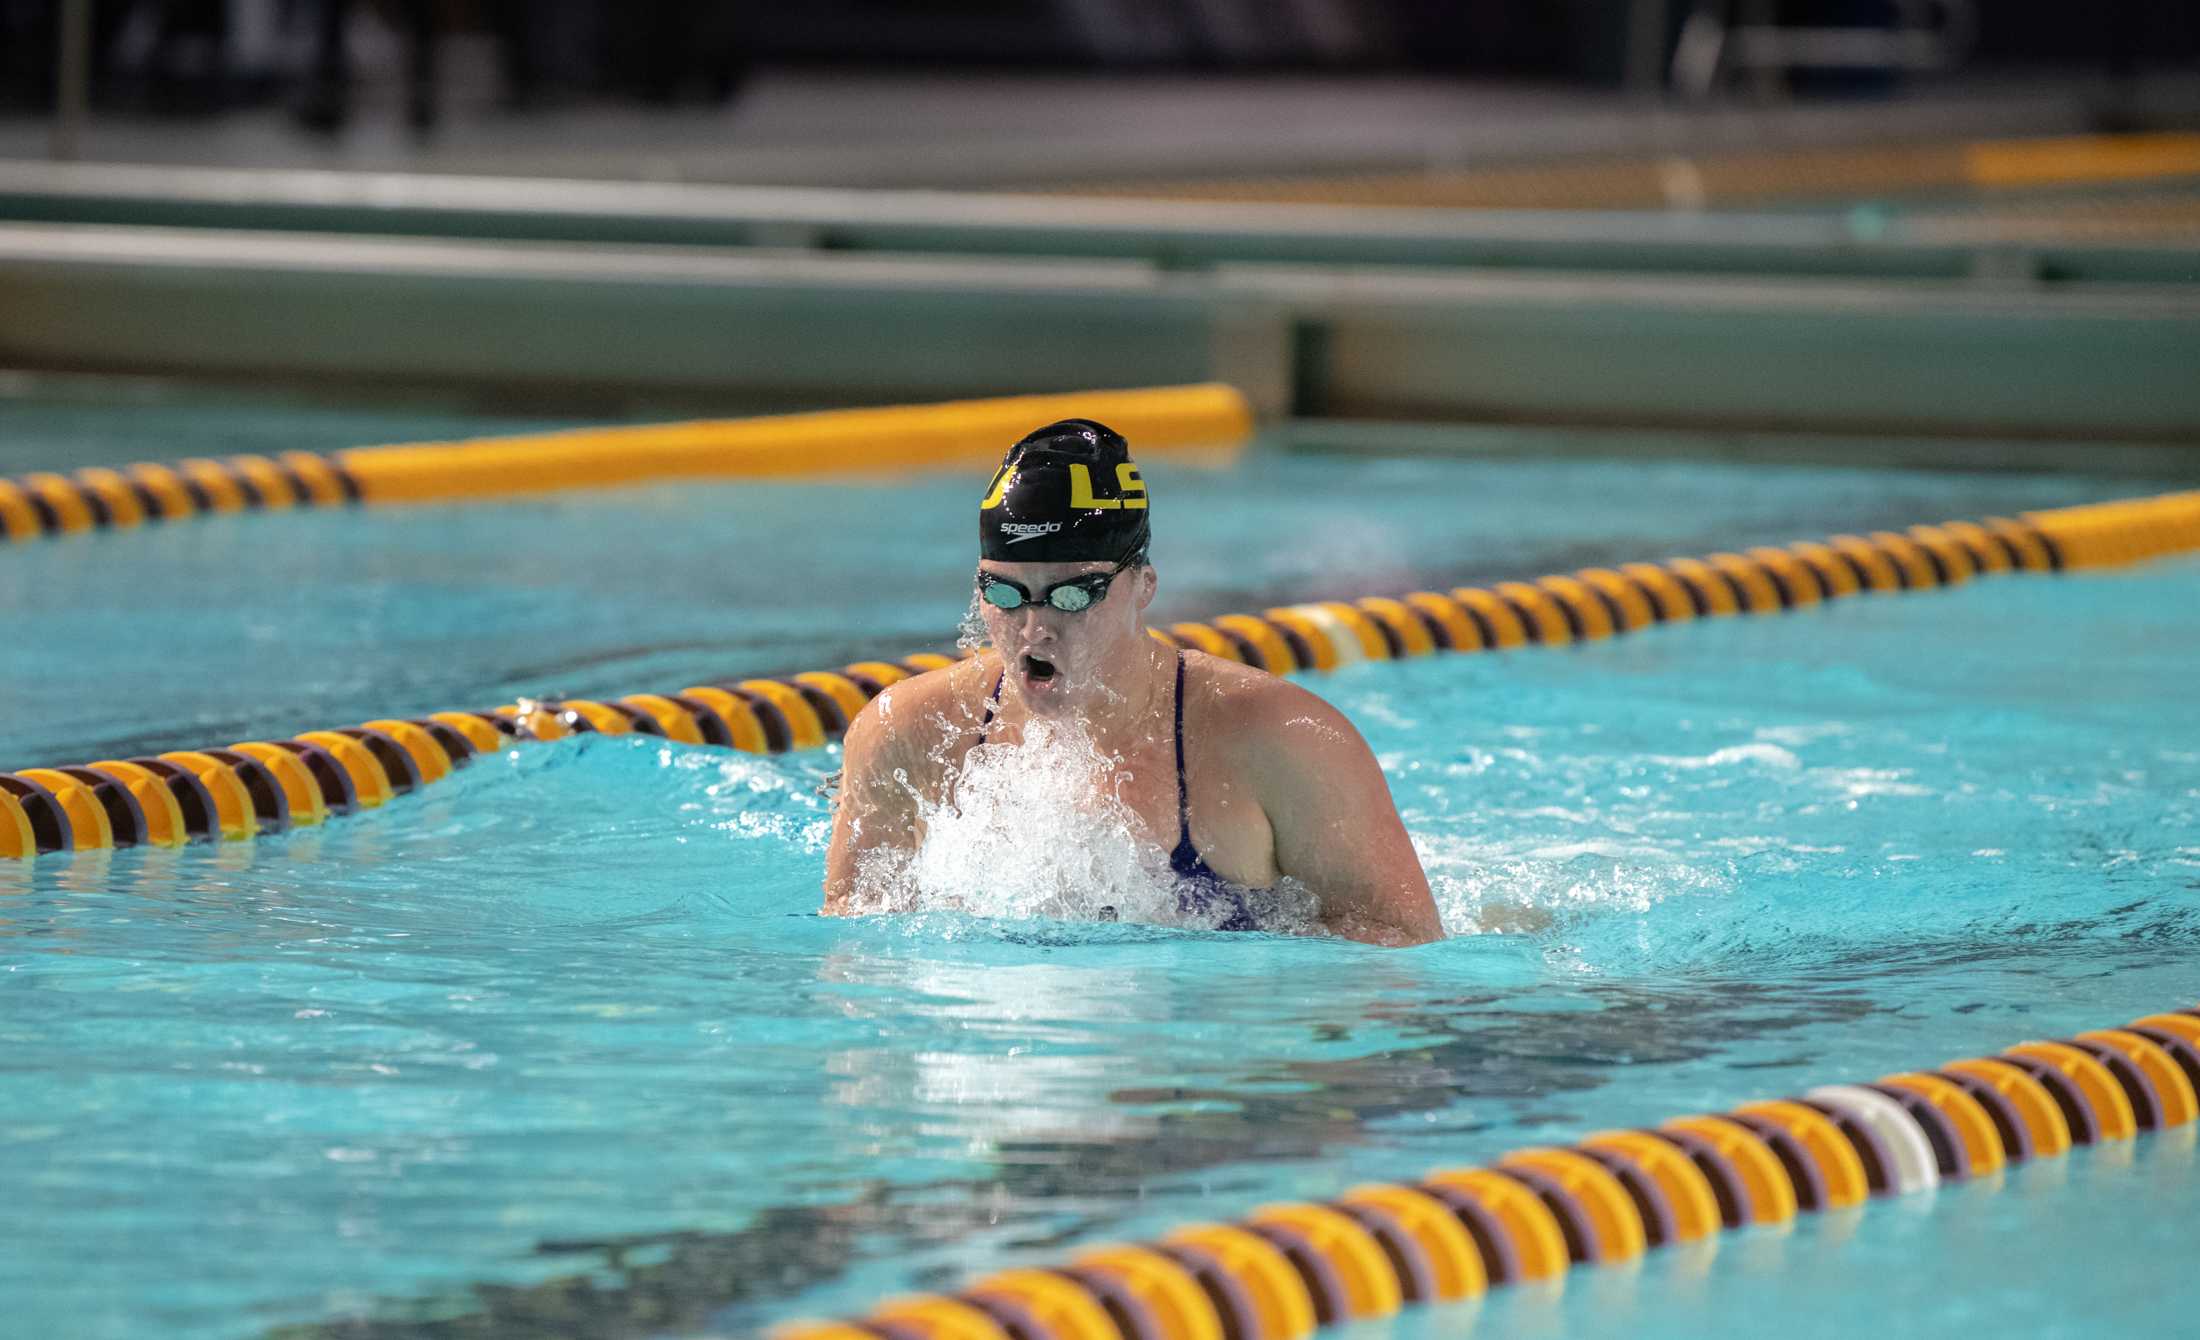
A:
[(1066, 494)]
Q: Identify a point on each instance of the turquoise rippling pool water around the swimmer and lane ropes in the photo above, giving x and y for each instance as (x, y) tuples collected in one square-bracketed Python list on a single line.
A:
[(562, 1046)]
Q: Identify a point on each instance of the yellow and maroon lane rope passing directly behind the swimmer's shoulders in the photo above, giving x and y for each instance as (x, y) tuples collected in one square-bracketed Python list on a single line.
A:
[(256, 789)]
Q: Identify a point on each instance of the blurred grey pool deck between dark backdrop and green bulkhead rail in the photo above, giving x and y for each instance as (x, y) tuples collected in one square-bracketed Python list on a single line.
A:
[(976, 131)]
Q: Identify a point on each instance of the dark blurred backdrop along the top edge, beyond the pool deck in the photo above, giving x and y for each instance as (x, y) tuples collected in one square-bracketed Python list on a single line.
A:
[(201, 56)]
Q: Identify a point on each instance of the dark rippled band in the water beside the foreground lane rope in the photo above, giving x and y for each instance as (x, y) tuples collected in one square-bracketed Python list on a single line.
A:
[(679, 1282)]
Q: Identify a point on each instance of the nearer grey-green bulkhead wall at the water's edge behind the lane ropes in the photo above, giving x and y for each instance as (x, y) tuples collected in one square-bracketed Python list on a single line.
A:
[(2001, 353)]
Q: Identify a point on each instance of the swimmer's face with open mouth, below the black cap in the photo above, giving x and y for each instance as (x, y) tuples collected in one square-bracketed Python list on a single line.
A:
[(1059, 659)]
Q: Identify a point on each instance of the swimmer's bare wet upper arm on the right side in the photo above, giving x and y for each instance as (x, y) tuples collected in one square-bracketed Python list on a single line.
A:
[(1336, 828)]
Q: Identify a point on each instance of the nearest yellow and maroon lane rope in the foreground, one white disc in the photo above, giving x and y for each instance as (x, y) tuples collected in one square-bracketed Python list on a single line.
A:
[(1537, 1213)]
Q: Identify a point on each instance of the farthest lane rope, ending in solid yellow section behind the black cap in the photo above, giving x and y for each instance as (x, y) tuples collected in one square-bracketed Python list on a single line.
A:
[(839, 441)]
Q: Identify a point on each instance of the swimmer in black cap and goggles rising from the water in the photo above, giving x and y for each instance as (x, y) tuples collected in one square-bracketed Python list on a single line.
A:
[(1240, 776)]
